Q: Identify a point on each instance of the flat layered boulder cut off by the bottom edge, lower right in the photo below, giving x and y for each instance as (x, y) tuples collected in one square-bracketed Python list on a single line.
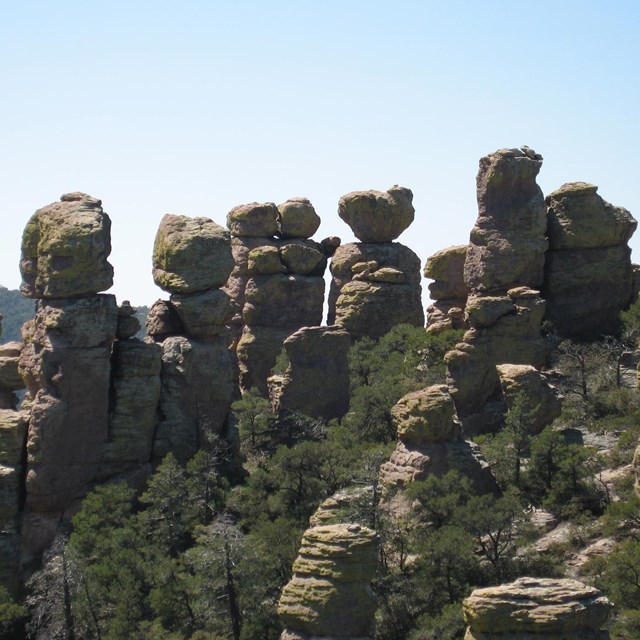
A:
[(537, 609)]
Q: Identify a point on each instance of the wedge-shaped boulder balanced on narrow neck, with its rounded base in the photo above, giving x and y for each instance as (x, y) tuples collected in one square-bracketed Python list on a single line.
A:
[(376, 282)]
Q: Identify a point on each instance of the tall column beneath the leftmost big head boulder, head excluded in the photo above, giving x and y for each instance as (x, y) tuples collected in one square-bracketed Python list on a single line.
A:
[(66, 364)]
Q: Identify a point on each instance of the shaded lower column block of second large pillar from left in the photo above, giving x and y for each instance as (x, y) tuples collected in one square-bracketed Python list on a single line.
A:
[(196, 395)]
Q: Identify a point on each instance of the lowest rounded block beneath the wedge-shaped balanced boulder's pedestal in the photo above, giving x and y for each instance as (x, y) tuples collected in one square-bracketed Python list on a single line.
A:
[(373, 309)]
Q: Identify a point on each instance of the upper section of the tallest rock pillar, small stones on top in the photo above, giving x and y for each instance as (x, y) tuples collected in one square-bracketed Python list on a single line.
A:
[(507, 243)]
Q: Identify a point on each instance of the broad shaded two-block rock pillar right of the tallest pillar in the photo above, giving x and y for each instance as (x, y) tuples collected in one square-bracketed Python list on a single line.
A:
[(588, 276)]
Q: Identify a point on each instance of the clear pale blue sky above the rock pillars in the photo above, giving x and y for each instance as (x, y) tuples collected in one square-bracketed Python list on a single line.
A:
[(193, 107)]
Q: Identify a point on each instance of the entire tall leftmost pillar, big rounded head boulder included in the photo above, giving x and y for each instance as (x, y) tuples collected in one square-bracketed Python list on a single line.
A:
[(66, 358)]
